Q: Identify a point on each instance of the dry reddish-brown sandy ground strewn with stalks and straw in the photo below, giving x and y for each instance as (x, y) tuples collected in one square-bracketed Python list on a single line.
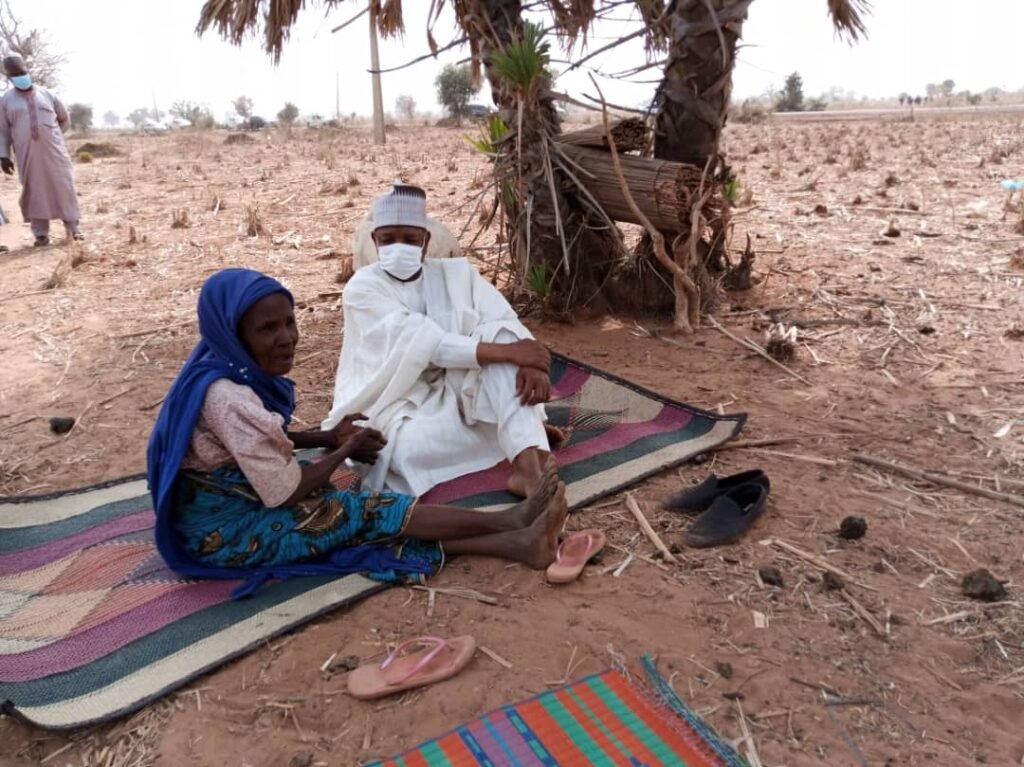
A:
[(918, 359)]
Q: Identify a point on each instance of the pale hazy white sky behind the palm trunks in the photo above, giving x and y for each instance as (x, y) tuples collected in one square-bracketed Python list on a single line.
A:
[(125, 54)]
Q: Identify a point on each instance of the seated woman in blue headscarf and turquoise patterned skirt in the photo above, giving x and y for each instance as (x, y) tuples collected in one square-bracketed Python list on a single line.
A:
[(233, 501)]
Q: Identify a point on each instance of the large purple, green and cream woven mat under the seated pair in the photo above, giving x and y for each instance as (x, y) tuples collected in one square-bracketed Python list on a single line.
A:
[(94, 626)]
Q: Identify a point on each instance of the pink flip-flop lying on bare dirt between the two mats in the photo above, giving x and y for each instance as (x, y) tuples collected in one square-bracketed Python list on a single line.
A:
[(440, 660)]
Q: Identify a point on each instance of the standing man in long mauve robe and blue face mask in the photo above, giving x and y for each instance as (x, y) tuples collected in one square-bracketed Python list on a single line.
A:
[(32, 122)]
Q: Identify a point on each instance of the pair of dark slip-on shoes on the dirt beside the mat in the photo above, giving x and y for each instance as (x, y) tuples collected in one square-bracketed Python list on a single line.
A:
[(730, 506)]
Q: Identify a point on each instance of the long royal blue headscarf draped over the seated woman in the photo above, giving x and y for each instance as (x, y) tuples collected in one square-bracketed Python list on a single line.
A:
[(223, 303)]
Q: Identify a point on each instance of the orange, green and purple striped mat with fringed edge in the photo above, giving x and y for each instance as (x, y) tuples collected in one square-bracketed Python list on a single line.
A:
[(601, 721)]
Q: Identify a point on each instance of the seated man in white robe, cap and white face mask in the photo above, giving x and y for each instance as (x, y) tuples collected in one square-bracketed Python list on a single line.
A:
[(438, 361)]
